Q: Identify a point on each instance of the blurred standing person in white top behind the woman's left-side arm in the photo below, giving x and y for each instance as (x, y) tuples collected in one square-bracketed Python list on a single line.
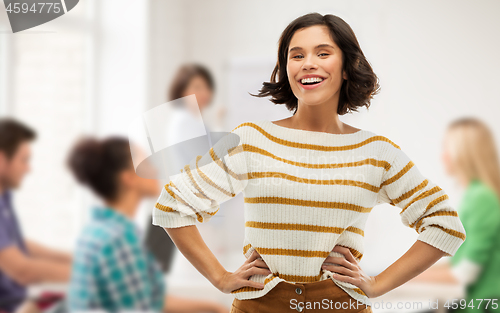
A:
[(188, 132)]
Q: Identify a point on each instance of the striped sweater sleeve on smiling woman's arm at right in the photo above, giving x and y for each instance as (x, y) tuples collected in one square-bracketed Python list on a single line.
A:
[(424, 206)]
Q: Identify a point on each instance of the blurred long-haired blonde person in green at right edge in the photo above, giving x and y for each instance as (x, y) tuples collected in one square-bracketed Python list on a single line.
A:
[(470, 156)]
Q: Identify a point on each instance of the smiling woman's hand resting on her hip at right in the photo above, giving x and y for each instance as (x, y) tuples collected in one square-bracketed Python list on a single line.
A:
[(348, 270)]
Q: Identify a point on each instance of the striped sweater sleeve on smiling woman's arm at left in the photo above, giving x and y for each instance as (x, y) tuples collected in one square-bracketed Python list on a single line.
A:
[(197, 191)]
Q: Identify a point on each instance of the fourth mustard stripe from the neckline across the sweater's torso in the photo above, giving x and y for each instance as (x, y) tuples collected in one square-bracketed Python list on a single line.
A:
[(311, 203)]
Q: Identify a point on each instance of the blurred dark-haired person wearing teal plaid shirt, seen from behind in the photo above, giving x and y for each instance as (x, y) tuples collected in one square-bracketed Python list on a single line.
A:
[(113, 270)]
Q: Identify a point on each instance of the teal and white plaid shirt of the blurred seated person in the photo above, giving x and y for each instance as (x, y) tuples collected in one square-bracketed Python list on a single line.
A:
[(112, 270)]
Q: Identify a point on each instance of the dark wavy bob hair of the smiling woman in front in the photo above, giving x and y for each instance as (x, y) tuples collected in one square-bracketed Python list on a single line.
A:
[(357, 91)]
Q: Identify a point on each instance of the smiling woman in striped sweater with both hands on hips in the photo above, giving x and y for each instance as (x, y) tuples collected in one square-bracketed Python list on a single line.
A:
[(310, 182)]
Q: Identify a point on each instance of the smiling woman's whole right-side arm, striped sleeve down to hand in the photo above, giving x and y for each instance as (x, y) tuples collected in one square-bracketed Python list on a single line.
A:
[(424, 207)]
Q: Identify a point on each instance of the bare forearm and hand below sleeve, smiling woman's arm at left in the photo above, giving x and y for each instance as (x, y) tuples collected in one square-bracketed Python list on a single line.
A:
[(190, 243)]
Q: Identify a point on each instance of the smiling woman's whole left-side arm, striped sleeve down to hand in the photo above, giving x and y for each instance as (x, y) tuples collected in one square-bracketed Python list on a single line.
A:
[(195, 195)]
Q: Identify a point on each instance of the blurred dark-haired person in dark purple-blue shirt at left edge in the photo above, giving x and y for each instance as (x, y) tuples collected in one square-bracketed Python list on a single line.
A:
[(22, 262)]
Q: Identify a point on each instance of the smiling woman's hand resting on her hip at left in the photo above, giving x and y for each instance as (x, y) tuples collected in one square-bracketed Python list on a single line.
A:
[(240, 278)]
